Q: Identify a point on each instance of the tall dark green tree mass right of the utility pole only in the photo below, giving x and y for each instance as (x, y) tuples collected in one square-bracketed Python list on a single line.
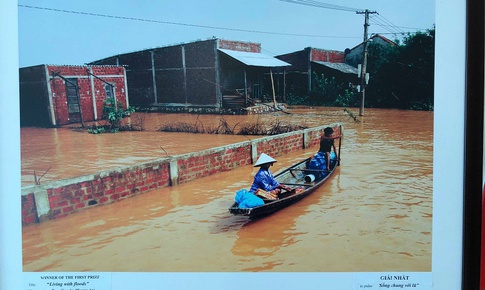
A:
[(402, 76)]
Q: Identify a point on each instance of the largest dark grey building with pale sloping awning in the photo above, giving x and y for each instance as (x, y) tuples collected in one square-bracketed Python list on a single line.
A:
[(212, 74)]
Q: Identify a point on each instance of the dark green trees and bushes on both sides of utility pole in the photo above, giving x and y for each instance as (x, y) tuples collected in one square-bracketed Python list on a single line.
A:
[(401, 76)]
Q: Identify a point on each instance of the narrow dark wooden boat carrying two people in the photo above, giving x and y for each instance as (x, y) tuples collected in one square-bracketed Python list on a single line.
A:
[(293, 177)]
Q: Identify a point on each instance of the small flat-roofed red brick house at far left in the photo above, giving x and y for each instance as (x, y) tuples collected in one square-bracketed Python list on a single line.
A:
[(56, 95)]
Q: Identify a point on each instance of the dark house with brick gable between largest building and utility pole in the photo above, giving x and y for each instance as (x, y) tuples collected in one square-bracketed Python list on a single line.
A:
[(309, 61)]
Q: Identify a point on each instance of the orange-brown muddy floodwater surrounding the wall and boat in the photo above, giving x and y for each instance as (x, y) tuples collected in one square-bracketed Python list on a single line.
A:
[(374, 214)]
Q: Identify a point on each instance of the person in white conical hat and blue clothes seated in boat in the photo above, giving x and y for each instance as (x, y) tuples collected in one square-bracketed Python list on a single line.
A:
[(264, 179)]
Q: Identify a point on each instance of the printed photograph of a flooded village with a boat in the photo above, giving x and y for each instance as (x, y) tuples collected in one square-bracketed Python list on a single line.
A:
[(226, 136)]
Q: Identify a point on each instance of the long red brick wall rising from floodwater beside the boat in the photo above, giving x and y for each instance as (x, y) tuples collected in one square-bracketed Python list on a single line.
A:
[(57, 199)]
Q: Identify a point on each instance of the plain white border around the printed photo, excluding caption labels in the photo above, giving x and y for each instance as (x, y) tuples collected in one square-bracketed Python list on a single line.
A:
[(448, 185)]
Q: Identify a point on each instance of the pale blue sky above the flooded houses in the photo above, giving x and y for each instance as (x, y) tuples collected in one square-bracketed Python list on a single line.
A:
[(79, 32)]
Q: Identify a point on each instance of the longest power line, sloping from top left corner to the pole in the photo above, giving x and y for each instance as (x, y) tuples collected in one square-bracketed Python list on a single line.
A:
[(178, 23)]
